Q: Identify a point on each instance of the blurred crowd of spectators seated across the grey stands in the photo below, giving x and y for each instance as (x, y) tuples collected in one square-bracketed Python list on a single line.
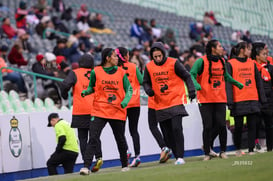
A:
[(38, 19)]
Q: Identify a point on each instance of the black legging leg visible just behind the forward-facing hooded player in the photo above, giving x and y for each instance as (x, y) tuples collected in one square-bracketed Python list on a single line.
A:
[(153, 125)]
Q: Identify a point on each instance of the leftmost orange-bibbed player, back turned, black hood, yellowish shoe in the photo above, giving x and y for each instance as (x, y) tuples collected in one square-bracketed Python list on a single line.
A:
[(82, 106)]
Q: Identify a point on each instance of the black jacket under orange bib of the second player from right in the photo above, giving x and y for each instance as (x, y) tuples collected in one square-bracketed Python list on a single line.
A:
[(245, 107)]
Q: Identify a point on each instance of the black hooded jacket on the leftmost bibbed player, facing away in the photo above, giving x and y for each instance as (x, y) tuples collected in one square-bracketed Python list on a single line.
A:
[(78, 121)]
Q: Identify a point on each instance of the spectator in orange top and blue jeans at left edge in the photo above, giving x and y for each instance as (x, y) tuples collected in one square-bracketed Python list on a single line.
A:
[(14, 77)]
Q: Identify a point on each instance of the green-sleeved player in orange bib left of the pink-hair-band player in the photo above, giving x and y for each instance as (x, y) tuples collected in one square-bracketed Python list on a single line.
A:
[(112, 93)]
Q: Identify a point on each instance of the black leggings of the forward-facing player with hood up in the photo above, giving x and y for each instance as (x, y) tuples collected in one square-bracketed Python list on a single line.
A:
[(172, 131)]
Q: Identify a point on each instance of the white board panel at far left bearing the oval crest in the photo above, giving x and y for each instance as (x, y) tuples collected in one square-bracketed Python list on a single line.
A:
[(15, 143)]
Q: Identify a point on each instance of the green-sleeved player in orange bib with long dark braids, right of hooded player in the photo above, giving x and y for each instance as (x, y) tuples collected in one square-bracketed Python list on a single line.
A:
[(209, 76)]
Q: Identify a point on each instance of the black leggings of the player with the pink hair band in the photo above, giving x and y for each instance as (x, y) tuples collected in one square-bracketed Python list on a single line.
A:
[(133, 116)]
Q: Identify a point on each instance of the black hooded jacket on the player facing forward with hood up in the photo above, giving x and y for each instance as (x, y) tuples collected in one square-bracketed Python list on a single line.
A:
[(181, 72)]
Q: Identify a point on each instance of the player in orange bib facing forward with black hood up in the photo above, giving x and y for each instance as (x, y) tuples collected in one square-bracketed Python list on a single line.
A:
[(164, 79)]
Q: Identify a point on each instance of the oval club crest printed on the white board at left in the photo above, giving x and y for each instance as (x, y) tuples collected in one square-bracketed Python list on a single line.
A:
[(15, 138)]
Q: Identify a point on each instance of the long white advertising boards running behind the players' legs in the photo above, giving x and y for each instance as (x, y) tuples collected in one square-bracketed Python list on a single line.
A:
[(27, 142)]
